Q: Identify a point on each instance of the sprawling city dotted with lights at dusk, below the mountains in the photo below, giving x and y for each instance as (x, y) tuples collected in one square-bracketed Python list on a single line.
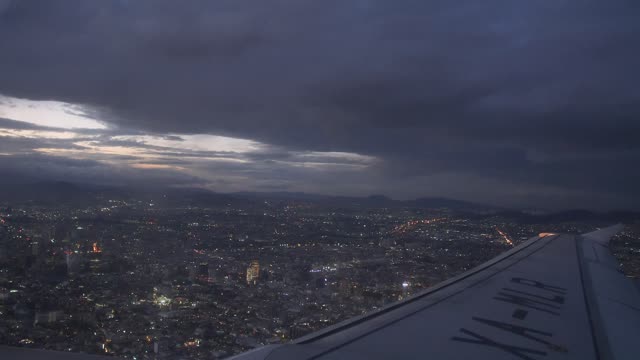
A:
[(142, 278)]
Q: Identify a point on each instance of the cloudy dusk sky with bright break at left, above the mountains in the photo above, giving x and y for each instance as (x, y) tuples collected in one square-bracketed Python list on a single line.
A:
[(518, 103)]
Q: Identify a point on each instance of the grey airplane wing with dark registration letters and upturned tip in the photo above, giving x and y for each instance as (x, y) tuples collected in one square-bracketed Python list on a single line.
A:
[(553, 297)]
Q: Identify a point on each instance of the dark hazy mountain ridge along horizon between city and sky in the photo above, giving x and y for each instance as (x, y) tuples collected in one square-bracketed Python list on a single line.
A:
[(68, 193)]
